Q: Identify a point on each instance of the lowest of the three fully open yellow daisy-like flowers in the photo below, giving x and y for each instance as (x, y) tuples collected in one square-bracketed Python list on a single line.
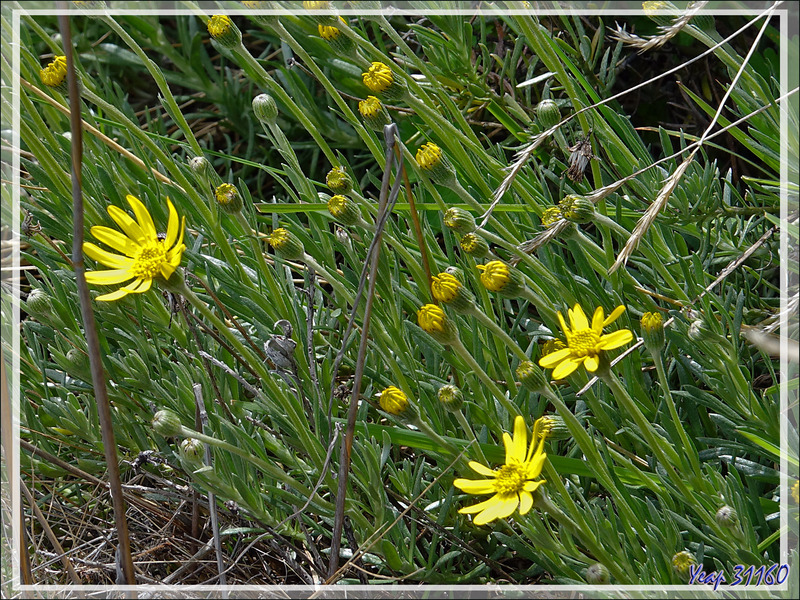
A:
[(512, 484)]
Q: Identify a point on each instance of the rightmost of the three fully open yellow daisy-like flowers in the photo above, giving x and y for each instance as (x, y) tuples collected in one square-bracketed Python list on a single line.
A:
[(584, 342)]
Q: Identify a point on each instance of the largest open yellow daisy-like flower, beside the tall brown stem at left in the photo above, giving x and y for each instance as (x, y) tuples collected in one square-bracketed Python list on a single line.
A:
[(145, 255)]
